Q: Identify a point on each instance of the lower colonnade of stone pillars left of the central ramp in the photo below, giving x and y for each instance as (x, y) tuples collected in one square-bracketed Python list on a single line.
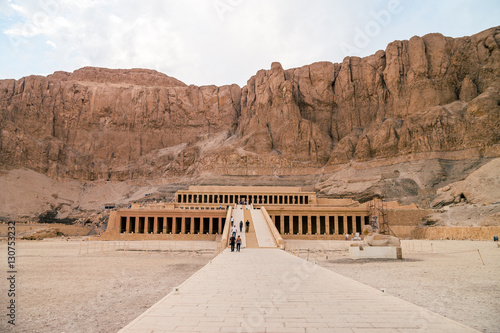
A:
[(170, 224)]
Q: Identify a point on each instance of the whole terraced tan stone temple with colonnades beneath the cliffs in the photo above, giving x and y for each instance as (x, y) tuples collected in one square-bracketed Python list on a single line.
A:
[(202, 213)]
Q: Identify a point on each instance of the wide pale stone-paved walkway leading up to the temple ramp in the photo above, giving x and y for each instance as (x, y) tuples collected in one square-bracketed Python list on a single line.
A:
[(269, 290)]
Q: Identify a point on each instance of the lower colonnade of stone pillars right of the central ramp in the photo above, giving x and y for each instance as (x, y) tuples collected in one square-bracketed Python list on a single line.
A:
[(319, 223)]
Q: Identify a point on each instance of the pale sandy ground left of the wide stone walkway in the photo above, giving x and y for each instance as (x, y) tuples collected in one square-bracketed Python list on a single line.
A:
[(75, 286)]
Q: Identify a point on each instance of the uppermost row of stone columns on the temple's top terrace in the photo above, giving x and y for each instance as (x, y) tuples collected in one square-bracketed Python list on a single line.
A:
[(269, 199)]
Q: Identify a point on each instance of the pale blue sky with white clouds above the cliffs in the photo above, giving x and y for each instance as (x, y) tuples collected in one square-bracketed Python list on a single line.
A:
[(219, 42)]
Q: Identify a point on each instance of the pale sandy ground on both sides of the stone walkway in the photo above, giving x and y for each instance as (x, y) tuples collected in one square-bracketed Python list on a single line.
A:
[(88, 286)]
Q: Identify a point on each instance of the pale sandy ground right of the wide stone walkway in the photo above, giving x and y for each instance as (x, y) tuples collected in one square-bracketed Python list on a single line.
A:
[(446, 277)]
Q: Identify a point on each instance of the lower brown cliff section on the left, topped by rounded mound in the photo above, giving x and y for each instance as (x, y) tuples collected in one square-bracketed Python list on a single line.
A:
[(84, 126)]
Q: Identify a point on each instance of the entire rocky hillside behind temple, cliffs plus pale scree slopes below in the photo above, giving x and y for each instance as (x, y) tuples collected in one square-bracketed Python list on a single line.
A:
[(410, 123)]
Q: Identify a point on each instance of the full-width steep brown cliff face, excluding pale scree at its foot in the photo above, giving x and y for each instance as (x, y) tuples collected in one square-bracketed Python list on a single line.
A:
[(426, 95)]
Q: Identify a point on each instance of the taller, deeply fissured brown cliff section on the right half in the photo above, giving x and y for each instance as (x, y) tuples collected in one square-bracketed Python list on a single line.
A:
[(416, 96)]
